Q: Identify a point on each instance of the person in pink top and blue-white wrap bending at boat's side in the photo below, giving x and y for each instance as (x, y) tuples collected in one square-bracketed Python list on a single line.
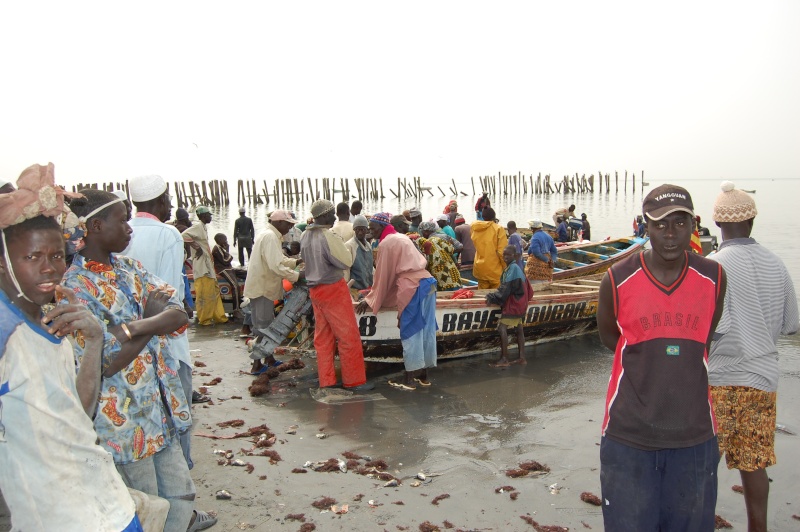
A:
[(402, 281)]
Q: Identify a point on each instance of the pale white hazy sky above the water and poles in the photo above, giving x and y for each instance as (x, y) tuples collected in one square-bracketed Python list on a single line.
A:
[(201, 90)]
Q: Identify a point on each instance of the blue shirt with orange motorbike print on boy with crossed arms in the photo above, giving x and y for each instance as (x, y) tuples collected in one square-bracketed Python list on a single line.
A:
[(132, 421)]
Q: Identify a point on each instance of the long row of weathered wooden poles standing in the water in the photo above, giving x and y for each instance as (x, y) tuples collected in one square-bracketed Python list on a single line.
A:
[(215, 192)]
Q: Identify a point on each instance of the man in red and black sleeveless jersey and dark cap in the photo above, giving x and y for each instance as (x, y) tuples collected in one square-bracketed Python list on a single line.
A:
[(657, 312)]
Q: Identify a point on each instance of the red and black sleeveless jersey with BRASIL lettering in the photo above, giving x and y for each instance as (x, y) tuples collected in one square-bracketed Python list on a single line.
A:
[(658, 395)]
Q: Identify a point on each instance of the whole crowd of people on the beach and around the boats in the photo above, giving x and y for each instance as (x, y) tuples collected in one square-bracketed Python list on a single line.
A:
[(103, 377)]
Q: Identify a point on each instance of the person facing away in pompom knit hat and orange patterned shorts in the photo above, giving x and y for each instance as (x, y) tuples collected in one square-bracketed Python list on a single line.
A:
[(760, 305)]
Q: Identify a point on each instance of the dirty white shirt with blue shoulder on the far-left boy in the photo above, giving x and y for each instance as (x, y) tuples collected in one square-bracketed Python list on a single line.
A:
[(53, 475)]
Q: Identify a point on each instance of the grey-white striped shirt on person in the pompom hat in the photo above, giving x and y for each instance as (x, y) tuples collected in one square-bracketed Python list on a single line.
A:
[(760, 305)]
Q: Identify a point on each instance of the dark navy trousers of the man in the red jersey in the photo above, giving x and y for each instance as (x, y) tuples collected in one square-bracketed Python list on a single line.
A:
[(664, 490)]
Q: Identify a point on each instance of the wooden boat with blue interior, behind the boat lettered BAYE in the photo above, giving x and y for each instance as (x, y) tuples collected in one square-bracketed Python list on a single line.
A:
[(579, 260)]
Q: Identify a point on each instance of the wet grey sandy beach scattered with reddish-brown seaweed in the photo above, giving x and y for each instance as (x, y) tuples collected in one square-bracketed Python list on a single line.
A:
[(463, 433)]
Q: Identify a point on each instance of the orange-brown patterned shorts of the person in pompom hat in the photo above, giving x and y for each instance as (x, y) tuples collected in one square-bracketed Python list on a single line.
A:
[(746, 426)]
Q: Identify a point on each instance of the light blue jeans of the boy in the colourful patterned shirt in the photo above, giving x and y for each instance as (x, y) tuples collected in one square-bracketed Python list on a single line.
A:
[(164, 474)]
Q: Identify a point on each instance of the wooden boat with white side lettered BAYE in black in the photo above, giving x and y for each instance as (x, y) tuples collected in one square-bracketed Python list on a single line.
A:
[(468, 327)]
